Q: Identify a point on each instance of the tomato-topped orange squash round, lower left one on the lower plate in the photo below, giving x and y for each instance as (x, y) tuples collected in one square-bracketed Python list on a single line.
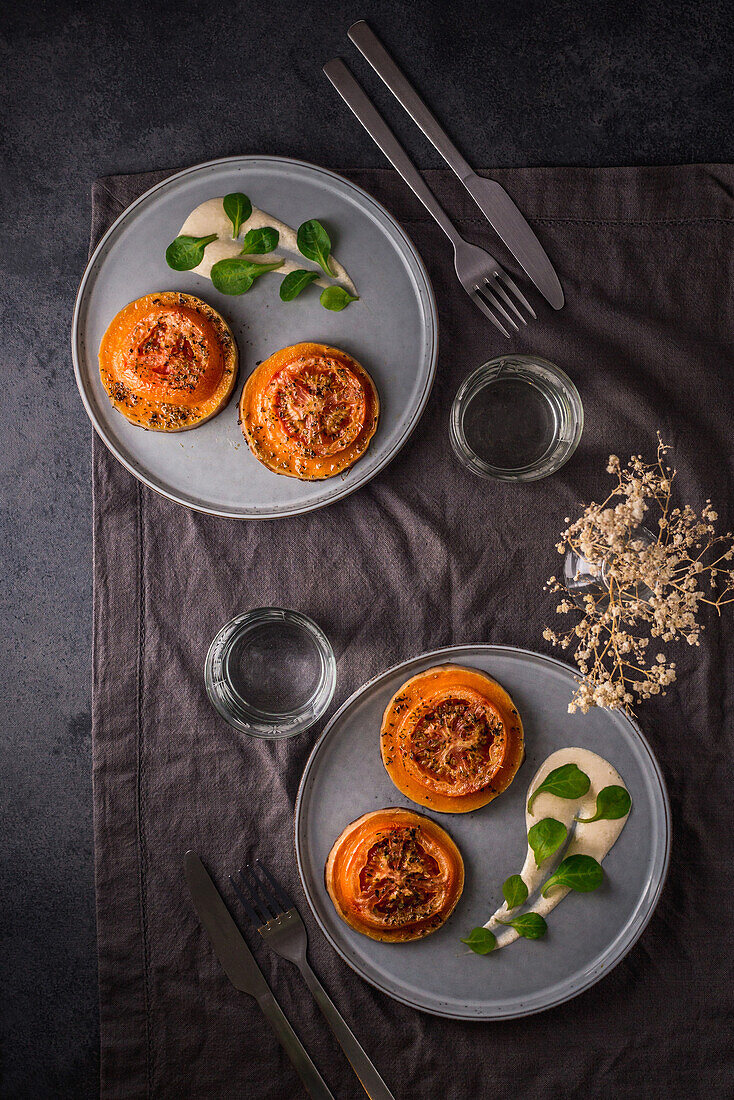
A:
[(395, 875)]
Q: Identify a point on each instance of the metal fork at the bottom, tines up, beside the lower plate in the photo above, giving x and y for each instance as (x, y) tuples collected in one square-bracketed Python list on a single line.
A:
[(279, 923)]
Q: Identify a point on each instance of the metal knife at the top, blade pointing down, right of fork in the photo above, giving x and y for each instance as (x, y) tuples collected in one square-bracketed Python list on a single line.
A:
[(492, 200)]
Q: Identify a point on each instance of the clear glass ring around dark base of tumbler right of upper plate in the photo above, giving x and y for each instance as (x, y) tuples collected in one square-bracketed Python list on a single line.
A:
[(549, 464)]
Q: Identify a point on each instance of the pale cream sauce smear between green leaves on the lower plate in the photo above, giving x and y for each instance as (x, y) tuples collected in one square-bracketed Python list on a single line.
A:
[(595, 839)]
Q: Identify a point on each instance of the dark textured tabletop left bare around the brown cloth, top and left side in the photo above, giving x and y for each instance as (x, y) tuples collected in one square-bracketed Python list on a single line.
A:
[(95, 89)]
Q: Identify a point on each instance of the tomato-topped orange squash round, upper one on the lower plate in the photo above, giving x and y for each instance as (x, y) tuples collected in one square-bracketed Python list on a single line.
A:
[(452, 740)]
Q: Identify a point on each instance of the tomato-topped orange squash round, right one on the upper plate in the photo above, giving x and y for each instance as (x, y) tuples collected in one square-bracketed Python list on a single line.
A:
[(310, 412)]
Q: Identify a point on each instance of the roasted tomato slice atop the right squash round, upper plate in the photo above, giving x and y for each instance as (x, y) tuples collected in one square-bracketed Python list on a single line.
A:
[(321, 404)]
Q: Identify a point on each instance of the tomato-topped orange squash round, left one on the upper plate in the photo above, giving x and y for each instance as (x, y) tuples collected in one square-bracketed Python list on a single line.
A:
[(169, 362)]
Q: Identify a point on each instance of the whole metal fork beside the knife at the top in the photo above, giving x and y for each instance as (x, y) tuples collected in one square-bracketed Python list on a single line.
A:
[(484, 279)]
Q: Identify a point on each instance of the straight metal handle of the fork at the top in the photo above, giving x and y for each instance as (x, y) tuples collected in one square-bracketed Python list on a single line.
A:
[(364, 109)]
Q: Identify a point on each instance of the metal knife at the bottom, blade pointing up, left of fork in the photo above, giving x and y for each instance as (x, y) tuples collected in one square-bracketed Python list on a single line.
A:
[(245, 974)]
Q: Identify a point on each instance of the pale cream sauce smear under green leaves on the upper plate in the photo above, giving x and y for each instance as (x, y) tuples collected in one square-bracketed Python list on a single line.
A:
[(211, 218)]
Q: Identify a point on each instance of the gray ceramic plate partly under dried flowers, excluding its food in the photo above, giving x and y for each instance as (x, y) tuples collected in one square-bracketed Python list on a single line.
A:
[(588, 933)]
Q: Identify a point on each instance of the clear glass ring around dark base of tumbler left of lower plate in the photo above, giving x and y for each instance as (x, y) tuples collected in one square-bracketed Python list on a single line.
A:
[(245, 717)]
